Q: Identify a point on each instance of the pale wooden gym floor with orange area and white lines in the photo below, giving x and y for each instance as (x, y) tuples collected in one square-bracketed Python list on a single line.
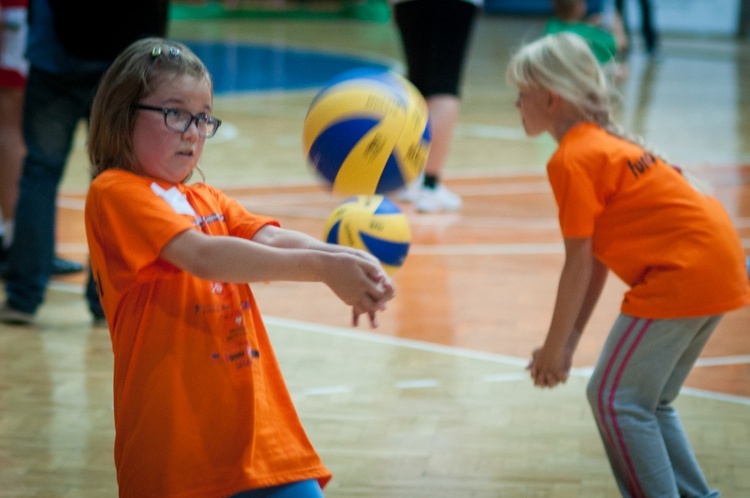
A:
[(436, 402)]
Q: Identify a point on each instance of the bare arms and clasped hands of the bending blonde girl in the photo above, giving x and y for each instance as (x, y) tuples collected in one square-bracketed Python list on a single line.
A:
[(581, 282)]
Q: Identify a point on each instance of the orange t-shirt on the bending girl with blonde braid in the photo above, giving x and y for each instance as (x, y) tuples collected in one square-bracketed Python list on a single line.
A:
[(675, 247)]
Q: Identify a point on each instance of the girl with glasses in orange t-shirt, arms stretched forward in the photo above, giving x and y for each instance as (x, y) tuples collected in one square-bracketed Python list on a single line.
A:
[(201, 408)]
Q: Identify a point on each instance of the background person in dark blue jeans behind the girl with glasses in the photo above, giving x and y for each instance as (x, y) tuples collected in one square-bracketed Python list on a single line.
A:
[(70, 45)]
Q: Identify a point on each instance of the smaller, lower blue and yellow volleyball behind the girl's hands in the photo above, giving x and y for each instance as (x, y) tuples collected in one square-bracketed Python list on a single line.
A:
[(372, 223)]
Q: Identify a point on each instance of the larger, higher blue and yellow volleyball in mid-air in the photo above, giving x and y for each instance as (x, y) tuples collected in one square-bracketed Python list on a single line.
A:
[(367, 132)]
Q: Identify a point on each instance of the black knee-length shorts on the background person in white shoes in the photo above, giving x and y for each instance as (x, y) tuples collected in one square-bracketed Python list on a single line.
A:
[(435, 36)]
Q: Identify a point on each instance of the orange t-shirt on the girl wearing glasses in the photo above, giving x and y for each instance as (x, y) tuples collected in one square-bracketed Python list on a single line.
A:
[(201, 407)]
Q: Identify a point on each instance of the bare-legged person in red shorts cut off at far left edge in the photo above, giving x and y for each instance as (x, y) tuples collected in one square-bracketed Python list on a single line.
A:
[(13, 71)]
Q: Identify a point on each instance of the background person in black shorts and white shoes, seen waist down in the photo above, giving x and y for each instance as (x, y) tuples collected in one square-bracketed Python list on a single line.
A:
[(435, 35)]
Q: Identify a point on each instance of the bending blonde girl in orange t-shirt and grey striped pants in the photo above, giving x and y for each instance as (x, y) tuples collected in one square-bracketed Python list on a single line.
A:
[(624, 209)]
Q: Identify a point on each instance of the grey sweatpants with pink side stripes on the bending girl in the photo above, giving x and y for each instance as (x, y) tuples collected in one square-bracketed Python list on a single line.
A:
[(639, 374)]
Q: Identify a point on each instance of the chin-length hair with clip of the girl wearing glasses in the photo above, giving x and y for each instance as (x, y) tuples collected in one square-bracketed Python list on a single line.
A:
[(133, 75)]
